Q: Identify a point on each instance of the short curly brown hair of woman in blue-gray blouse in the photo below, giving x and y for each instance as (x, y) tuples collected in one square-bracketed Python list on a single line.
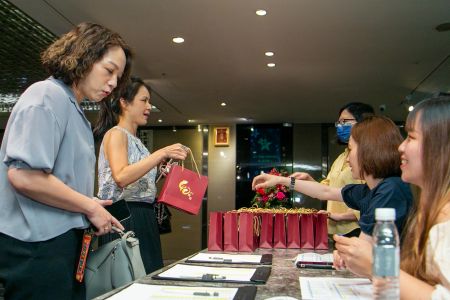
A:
[(72, 56)]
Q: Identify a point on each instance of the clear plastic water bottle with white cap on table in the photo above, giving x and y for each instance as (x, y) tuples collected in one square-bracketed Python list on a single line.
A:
[(386, 256)]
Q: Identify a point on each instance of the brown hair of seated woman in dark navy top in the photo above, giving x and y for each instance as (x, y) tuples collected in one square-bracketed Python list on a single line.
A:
[(378, 139)]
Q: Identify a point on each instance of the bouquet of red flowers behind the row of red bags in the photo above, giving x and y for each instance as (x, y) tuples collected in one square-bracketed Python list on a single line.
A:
[(274, 196)]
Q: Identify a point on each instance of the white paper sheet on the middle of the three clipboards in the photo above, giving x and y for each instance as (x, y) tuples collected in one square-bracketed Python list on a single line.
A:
[(196, 272)]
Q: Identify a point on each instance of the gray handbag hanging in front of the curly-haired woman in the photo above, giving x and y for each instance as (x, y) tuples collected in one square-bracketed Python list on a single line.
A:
[(113, 265)]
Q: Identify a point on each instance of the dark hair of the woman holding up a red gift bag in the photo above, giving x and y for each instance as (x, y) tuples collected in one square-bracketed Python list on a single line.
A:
[(110, 107)]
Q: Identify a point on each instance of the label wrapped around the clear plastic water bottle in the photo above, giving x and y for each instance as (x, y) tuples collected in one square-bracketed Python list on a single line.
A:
[(386, 261)]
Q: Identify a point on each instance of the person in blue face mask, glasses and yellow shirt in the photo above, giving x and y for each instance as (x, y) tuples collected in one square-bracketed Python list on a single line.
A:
[(343, 220)]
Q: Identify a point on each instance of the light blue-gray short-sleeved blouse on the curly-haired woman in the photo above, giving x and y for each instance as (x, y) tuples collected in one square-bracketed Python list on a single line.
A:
[(47, 131)]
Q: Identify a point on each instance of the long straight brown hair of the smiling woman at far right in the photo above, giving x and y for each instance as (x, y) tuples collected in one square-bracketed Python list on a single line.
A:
[(433, 118)]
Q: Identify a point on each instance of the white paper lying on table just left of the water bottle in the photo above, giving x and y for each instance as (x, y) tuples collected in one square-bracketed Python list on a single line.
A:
[(326, 288)]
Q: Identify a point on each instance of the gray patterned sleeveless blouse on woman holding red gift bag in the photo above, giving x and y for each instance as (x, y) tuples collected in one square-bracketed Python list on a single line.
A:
[(144, 189)]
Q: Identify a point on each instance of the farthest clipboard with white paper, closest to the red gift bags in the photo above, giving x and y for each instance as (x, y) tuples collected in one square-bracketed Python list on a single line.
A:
[(215, 258)]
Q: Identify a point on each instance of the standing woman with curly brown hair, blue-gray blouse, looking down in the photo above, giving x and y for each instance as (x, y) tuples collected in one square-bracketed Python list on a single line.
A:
[(48, 170)]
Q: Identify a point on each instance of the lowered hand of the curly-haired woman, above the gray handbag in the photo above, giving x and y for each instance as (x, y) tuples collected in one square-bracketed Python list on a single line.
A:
[(102, 219)]
